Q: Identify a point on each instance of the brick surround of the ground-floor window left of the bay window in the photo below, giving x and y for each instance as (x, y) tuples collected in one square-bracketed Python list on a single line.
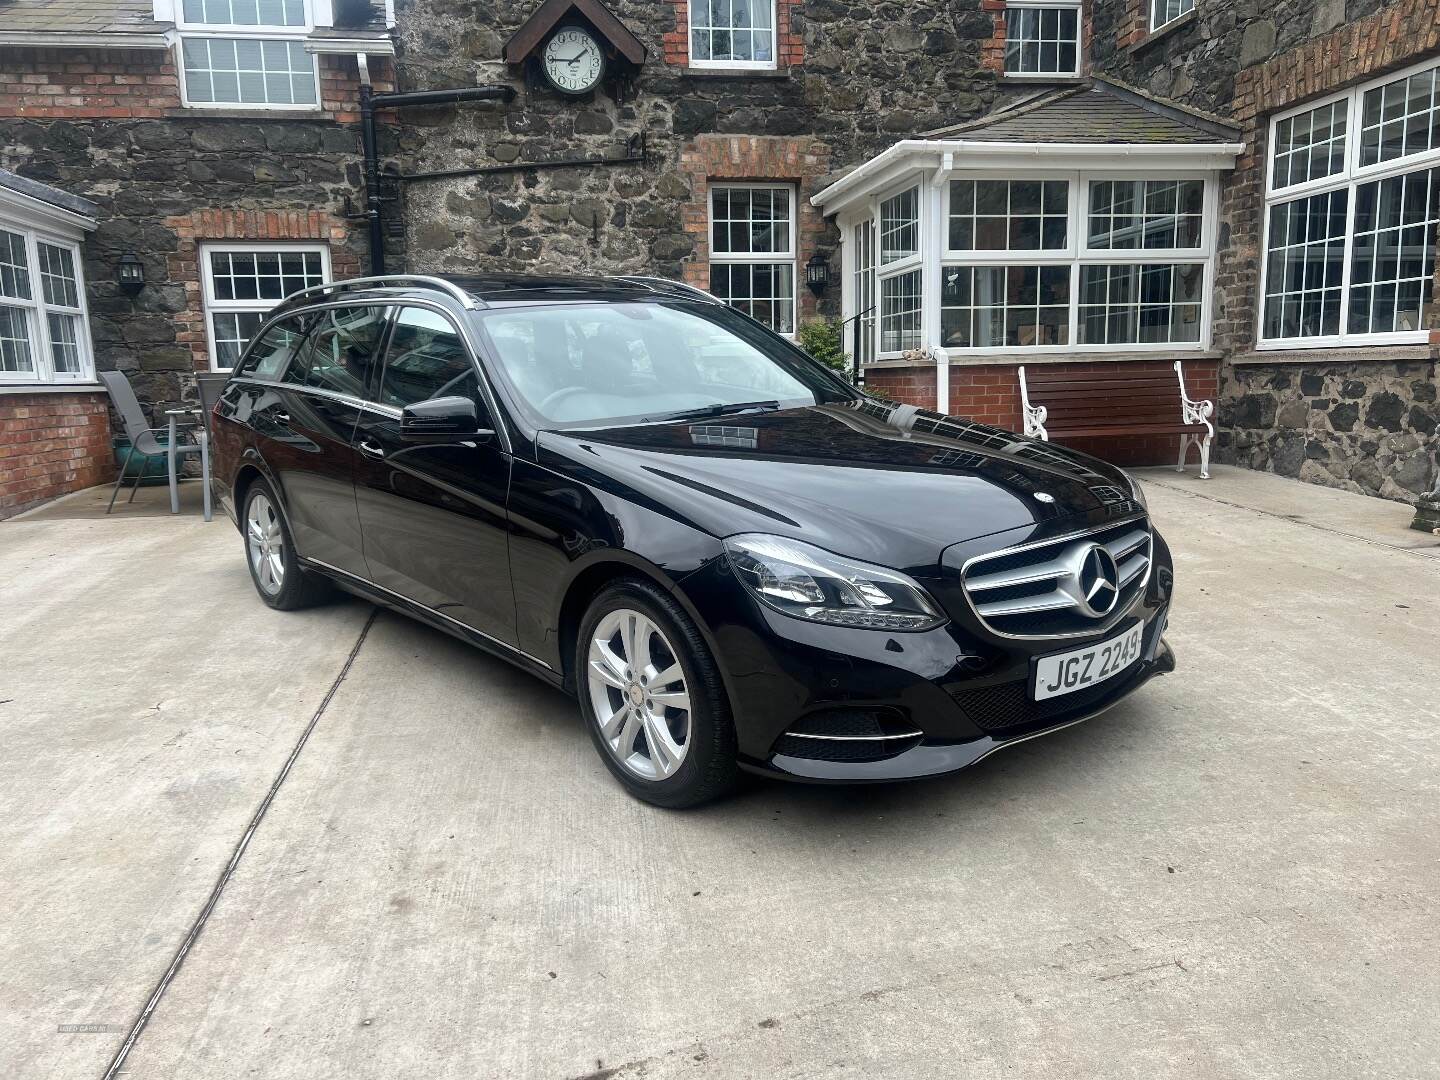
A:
[(768, 159)]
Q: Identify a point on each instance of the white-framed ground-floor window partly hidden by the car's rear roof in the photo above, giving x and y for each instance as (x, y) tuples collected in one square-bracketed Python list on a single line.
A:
[(244, 282)]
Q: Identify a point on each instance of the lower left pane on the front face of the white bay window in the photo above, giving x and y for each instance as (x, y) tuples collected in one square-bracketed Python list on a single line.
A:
[(991, 307)]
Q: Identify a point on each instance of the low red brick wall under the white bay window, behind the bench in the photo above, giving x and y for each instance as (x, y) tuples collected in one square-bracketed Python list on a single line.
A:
[(990, 394)]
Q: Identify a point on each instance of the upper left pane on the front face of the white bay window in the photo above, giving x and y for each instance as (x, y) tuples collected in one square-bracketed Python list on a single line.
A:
[(1010, 215)]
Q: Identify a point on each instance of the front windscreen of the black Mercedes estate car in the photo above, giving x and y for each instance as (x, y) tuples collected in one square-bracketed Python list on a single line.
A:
[(591, 365)]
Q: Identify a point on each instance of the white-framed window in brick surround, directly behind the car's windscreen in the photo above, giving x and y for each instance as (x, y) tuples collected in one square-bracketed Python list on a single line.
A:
[(752, 251)]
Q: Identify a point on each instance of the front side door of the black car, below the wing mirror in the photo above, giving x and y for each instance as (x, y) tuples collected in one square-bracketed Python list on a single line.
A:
[(434, 513)]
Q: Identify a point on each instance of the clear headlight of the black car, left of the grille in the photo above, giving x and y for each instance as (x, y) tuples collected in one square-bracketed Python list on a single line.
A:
[(813, 584)]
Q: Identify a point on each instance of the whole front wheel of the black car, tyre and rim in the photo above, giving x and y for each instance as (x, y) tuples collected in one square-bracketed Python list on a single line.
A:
[(653, 699)]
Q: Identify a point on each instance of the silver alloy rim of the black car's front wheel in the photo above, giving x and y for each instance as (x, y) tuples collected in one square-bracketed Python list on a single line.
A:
[(640, 695)]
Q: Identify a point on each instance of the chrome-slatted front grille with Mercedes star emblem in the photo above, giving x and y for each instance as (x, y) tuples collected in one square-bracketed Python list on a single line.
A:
[(1049, 590)]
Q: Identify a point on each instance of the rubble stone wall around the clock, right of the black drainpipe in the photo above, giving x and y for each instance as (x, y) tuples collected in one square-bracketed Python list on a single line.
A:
[(870, 76)]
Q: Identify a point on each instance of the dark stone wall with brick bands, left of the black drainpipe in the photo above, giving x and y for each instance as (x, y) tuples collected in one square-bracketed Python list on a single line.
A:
[(109, 126)]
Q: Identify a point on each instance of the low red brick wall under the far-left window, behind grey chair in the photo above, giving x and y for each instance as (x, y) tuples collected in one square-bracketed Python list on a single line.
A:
[(53, 444)]
